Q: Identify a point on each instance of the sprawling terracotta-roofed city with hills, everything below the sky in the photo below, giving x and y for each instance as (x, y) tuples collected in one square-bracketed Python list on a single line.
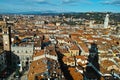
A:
[(58, 46)]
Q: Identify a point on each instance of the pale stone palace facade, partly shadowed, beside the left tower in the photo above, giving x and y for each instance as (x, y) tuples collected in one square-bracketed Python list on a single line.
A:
[(22, 55)]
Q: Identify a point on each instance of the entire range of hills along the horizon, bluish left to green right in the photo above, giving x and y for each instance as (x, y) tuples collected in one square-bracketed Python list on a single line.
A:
[(98, 16)]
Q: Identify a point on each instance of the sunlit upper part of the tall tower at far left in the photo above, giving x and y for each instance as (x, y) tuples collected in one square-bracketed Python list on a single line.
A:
[(6, 30)]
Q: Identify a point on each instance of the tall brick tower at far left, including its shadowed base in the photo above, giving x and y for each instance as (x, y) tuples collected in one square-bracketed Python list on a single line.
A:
[(6, 25)]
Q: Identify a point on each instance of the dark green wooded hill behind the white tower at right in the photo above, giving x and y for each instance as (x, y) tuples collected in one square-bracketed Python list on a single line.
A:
[(98, 16)]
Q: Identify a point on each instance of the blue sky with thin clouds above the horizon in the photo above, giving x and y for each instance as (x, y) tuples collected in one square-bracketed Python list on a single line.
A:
[(60, 5)]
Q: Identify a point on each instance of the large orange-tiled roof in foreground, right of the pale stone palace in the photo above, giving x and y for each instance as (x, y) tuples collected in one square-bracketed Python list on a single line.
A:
[(39, 67)]
